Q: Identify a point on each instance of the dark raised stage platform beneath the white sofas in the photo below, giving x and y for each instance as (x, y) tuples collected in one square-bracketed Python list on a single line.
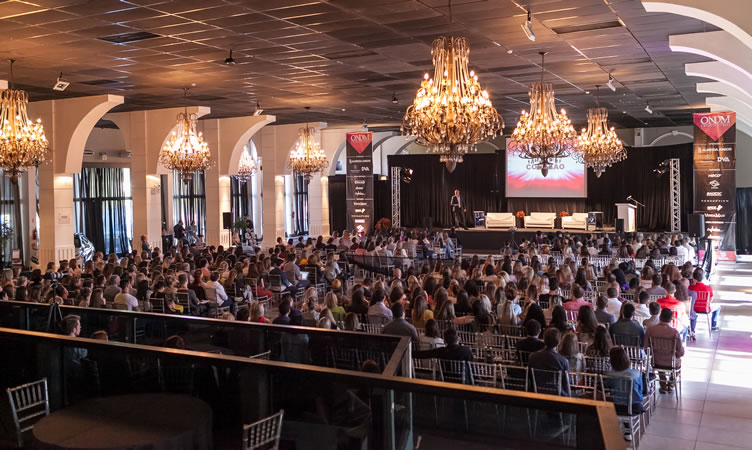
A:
[(491, 240)]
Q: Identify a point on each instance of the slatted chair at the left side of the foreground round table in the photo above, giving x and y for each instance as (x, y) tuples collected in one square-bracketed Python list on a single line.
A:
[(28, 403)]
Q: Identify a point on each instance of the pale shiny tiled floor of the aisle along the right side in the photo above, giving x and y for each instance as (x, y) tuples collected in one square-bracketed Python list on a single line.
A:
[(715, 410)]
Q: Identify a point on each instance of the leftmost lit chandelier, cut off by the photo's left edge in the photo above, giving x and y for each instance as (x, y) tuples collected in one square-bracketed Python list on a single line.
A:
[(22, 142)]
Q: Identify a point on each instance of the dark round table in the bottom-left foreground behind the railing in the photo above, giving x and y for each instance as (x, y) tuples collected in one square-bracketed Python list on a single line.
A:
[(139, 421)]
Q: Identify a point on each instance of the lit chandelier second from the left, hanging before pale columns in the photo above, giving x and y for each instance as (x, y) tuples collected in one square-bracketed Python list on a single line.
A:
[(186, 151)]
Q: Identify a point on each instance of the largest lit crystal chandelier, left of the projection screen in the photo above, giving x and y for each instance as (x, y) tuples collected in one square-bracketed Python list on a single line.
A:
[(451, 113)]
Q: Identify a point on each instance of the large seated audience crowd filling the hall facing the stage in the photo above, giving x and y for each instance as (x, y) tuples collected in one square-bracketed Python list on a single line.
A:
[(547, 285)]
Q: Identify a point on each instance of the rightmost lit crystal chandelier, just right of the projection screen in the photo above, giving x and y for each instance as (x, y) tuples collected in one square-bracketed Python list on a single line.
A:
[(598, 144)]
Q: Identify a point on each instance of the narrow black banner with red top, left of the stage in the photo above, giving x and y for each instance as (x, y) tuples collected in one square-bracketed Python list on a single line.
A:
[(359, 197)]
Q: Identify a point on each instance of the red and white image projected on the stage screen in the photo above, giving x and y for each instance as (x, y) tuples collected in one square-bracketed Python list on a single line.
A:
[(565, 179)]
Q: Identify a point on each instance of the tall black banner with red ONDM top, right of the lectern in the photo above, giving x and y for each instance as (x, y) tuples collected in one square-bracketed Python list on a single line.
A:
[(715, 179)]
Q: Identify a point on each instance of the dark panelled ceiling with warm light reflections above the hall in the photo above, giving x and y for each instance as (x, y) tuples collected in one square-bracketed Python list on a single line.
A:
[(346, 58)]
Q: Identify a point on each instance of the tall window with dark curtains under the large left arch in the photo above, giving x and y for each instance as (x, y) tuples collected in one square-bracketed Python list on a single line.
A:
[(103, 208)]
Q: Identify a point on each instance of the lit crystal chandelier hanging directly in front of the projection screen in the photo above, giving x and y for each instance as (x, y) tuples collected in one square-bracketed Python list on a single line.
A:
[(543, 135)]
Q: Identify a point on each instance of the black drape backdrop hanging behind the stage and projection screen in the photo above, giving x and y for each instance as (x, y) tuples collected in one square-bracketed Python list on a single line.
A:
[(481, 179)]
